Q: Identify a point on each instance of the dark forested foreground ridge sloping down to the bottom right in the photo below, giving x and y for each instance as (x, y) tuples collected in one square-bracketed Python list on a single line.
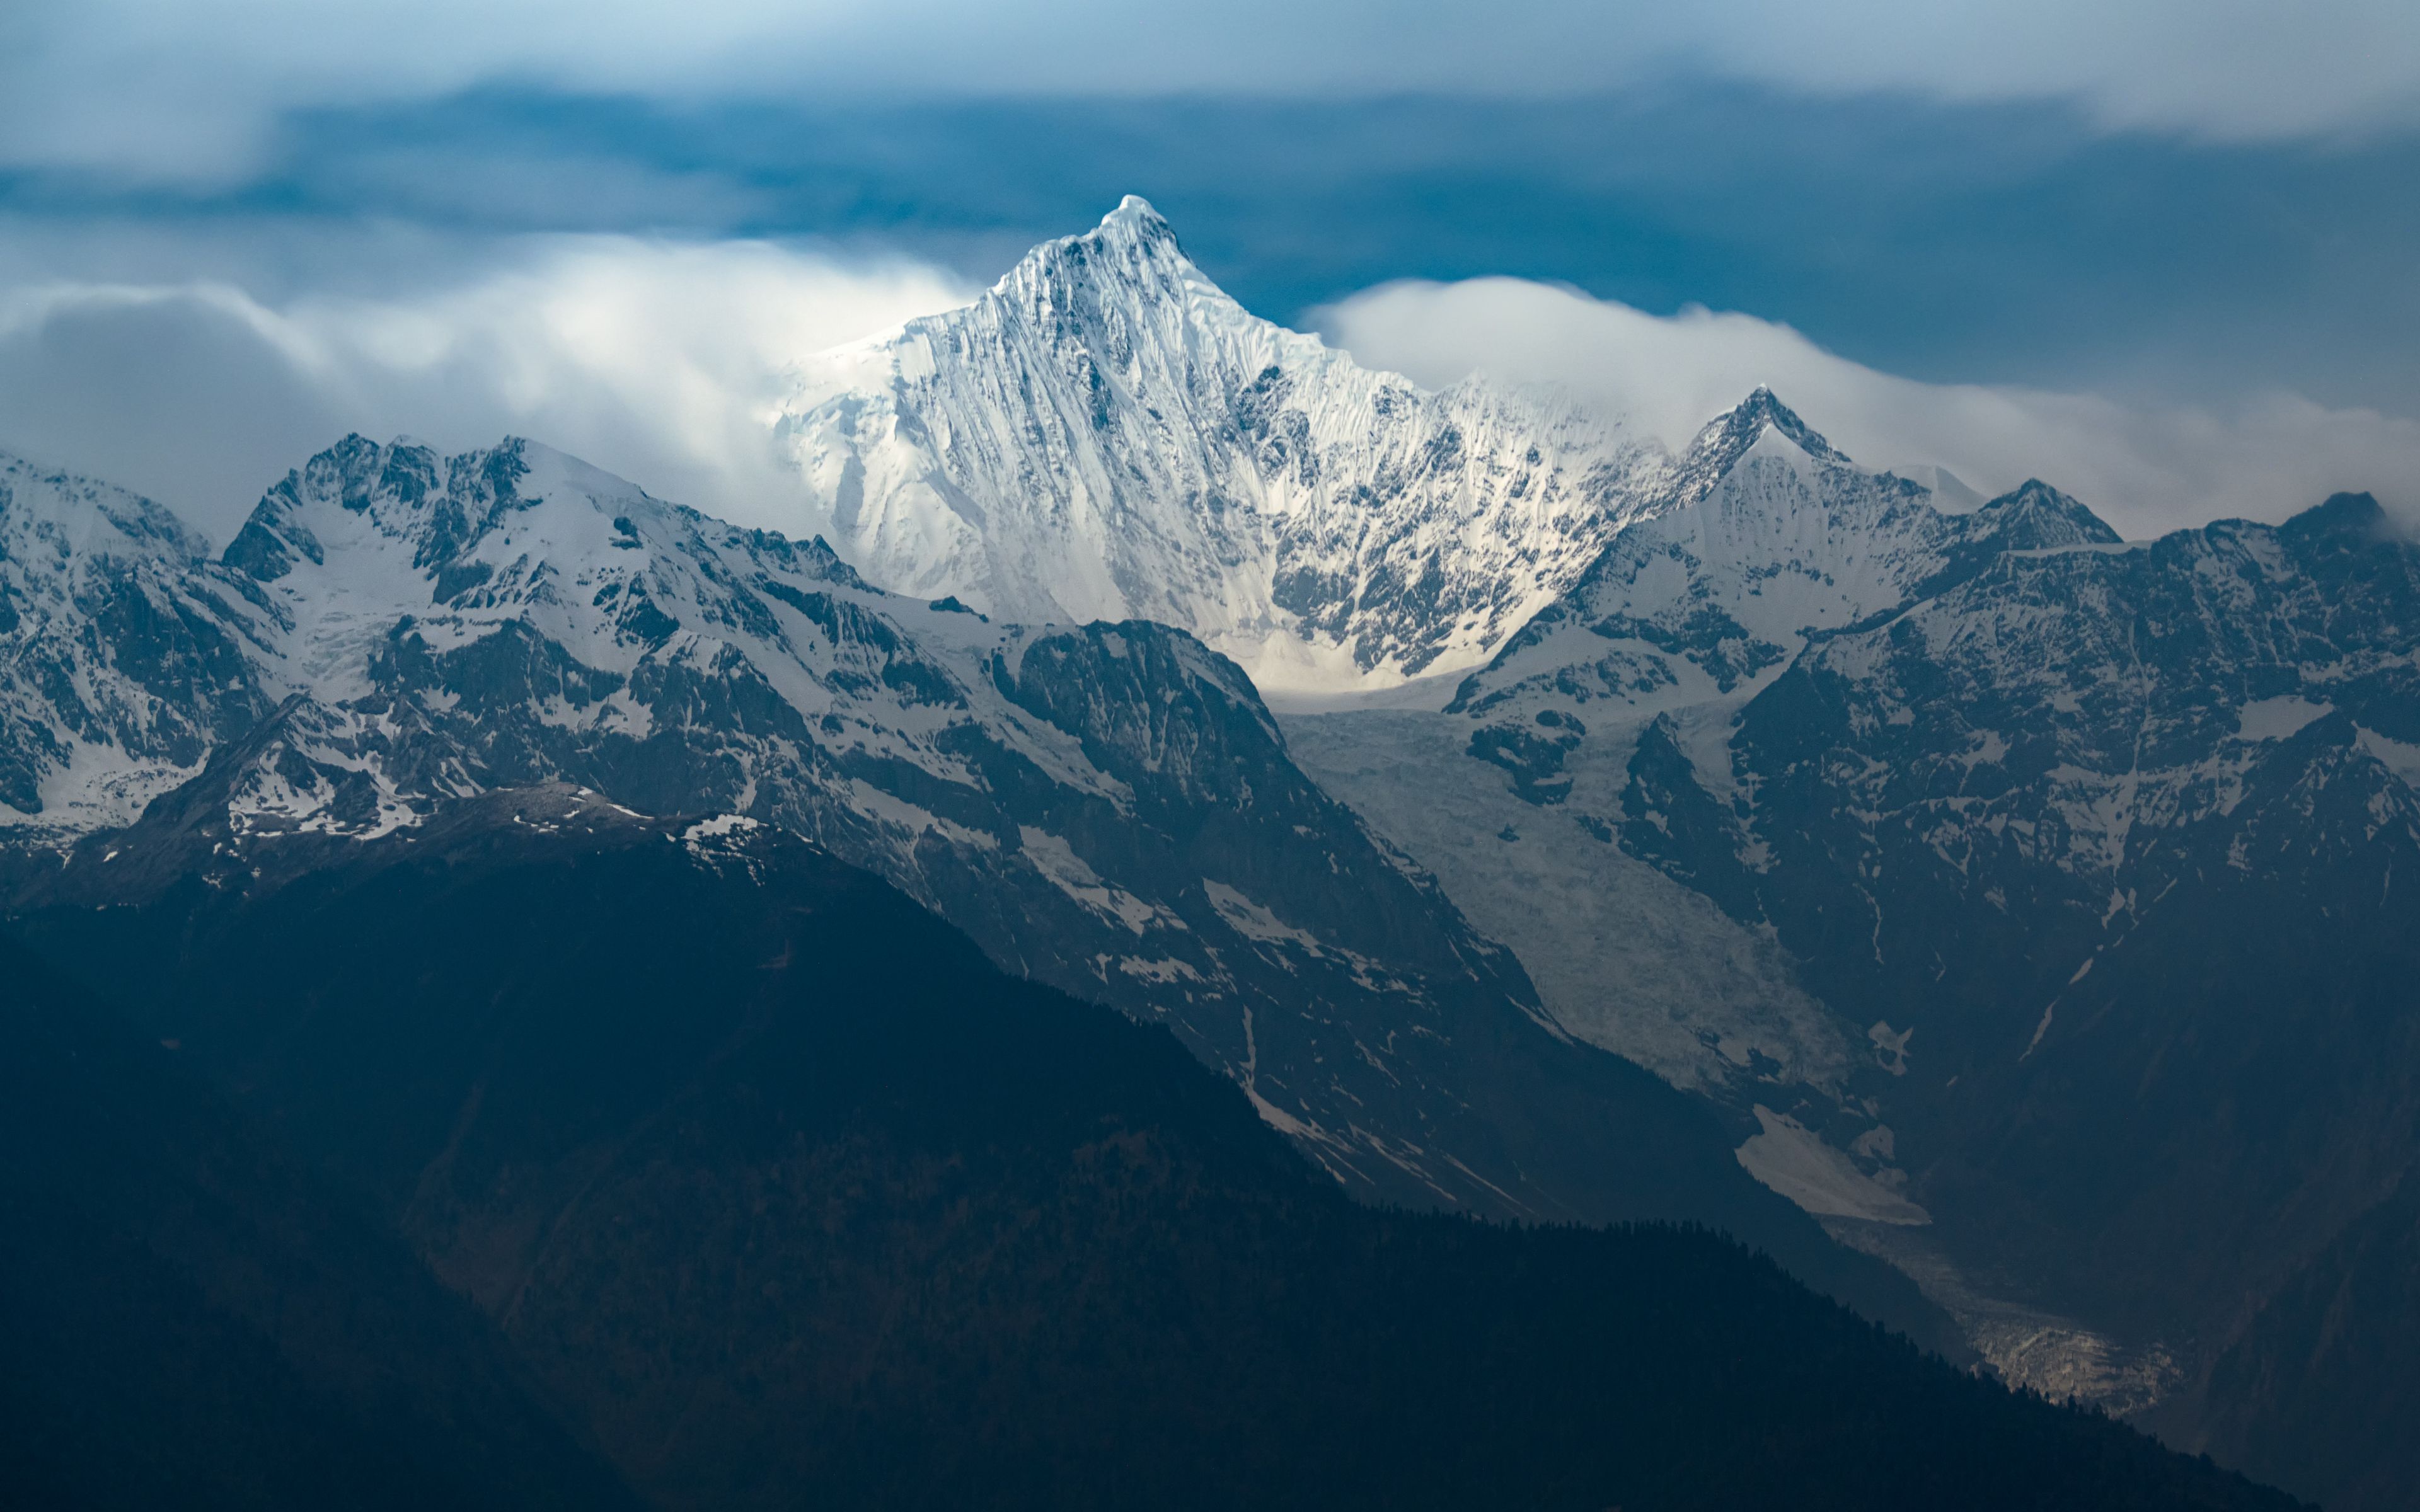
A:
[(783, 1194)]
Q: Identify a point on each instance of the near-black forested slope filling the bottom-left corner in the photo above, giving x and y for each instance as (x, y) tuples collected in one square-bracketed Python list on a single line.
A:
[(192, 1320)]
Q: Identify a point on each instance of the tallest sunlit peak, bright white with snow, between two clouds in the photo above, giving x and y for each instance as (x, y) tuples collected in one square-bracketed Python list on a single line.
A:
[(1110, 437)]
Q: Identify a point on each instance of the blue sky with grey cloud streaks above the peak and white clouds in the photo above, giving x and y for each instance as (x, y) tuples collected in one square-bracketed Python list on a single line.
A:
[(2184, 209)]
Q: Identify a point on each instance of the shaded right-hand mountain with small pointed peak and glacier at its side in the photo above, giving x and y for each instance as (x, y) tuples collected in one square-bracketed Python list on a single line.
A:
[(2041, 896)]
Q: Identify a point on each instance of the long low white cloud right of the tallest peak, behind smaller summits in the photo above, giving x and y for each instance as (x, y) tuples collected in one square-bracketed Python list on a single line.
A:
[(2143, 468)]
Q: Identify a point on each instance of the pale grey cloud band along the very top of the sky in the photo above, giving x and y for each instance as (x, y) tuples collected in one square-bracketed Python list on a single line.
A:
[(192, 88)]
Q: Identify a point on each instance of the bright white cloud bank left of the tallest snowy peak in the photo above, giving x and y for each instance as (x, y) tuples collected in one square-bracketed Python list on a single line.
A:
[(652, 359)]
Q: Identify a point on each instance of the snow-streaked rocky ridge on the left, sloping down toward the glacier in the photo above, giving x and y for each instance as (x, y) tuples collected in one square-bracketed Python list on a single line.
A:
[(1105, 809)]
